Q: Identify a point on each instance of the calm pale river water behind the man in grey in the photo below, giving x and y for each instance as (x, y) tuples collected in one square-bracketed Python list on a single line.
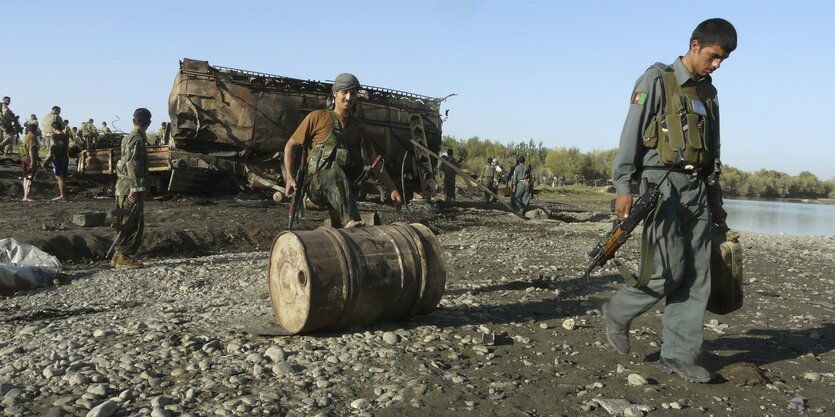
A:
[(789, 218)]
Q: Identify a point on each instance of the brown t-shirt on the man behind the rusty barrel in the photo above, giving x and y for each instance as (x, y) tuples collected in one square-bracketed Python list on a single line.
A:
[(317, 125)]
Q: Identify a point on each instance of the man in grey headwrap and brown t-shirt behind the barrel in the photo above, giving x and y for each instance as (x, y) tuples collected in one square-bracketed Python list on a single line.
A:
[(339, 157)]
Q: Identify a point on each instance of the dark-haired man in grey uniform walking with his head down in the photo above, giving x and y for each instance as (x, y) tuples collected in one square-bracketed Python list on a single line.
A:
[(674, 107)]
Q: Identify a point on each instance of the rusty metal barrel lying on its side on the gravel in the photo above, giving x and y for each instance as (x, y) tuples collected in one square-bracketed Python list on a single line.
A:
[(335, 278)]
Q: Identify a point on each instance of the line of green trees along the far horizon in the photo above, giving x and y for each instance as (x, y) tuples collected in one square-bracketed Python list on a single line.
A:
[(597, 165)]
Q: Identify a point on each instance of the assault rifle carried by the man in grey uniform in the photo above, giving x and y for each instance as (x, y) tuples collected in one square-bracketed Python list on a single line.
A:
[(605, 249)]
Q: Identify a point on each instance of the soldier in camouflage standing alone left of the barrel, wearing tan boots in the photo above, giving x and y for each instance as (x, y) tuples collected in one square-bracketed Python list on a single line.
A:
[(132, 174)]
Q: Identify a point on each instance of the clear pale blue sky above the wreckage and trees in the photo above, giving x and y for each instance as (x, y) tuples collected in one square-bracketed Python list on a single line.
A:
[(559, 72)]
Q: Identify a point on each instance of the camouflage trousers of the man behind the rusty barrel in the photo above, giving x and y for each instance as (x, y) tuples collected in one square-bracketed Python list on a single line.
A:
[(330, 186)]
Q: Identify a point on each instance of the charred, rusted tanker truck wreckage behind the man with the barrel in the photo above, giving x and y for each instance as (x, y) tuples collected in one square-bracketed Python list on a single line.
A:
[(228, 129)]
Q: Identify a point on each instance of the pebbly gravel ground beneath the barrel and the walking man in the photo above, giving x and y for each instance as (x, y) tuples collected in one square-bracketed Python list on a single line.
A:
[(196, 337)]
